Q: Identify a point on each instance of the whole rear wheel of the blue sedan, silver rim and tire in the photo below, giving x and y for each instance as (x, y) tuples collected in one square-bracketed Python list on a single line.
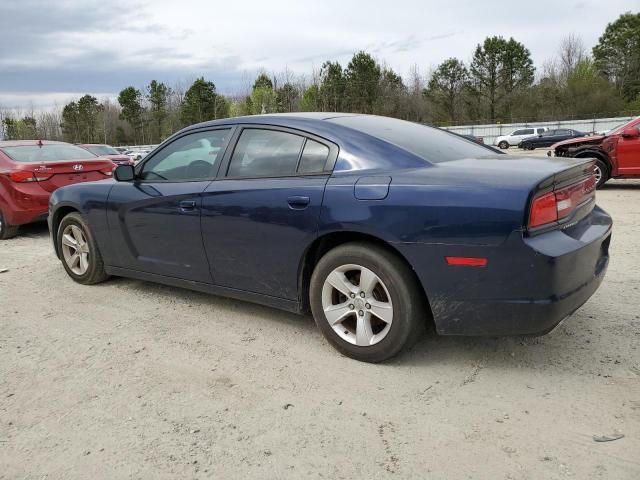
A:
[(366, 302)]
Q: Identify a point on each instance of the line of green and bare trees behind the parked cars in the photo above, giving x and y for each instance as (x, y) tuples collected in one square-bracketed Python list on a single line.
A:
[(498, 84)]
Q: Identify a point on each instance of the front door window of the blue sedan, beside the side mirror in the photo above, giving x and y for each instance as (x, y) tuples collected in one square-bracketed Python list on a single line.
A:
[(194, 157)]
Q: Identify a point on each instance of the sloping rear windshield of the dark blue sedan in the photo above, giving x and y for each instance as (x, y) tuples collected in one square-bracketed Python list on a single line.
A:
[(429, 143)]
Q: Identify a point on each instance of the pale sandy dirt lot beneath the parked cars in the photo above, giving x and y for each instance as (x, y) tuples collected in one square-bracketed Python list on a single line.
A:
[(133, 380)]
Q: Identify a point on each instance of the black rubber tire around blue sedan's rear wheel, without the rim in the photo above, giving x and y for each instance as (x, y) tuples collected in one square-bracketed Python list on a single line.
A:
[(409, 319)]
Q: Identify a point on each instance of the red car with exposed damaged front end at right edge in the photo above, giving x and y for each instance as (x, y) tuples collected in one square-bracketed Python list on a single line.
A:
[(617, 152)]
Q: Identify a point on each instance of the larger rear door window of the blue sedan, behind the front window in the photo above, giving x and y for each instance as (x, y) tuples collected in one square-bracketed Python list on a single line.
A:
[(265, 153)]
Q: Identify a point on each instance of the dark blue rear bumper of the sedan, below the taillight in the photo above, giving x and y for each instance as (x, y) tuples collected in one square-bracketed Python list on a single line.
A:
[(529, 285)]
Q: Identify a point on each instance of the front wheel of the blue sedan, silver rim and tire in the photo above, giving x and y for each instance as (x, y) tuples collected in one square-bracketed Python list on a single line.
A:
[(79, 252)]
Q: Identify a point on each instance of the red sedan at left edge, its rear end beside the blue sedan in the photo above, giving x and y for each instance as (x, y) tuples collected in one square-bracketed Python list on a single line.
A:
[(30, 170)]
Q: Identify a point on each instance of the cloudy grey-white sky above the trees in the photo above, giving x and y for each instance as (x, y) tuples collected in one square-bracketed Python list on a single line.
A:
[(55, 50)]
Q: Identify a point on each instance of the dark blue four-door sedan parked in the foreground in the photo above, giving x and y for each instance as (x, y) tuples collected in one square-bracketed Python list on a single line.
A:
[(377, 226)]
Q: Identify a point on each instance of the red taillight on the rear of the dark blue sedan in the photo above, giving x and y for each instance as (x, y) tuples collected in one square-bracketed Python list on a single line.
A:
[(557, 205)]
